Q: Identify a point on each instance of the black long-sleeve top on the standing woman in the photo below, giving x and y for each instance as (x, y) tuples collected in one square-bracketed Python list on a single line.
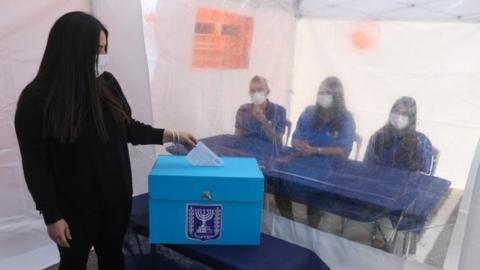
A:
[(86, 175)]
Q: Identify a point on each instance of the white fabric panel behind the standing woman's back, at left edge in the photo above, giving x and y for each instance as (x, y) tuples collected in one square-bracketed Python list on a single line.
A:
[(24, 28)]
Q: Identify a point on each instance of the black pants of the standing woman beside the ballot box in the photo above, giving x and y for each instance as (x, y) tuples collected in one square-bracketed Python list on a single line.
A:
[(104, 231)]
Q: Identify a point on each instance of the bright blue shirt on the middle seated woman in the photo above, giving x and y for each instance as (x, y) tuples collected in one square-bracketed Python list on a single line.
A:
[(323, 137)]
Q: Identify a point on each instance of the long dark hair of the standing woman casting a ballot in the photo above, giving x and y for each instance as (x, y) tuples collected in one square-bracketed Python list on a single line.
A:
[(67, 69)]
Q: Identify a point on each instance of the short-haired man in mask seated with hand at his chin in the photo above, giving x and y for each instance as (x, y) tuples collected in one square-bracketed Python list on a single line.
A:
[(261, 118)]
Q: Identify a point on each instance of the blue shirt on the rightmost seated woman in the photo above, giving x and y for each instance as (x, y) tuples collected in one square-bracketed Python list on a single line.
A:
[(387, 157)]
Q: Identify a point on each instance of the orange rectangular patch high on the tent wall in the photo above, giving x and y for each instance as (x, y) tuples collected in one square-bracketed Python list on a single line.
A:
[(221, 40)]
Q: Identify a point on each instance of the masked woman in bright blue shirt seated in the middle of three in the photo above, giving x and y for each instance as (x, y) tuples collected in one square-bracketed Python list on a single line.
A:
[(326, 129)]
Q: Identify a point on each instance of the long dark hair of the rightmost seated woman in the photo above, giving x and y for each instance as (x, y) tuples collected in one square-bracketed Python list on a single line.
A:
[(407, 153)]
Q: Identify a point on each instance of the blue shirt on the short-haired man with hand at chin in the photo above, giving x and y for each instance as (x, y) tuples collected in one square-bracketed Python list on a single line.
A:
[(251, 127)]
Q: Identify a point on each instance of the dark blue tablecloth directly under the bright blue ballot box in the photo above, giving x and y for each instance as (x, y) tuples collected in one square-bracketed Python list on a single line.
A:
[(273, 253)]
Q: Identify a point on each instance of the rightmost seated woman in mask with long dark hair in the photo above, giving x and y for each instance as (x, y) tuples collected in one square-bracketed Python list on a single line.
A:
[(398, 144)]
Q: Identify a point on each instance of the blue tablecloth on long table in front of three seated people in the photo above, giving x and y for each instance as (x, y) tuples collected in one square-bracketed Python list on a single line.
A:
[(345, 187)]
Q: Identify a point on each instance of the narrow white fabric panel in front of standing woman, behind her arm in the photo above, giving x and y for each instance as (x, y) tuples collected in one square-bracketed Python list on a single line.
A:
[(128, 63)]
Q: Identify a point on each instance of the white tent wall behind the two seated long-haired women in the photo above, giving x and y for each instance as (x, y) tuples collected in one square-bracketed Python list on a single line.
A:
[(436, 63)]
